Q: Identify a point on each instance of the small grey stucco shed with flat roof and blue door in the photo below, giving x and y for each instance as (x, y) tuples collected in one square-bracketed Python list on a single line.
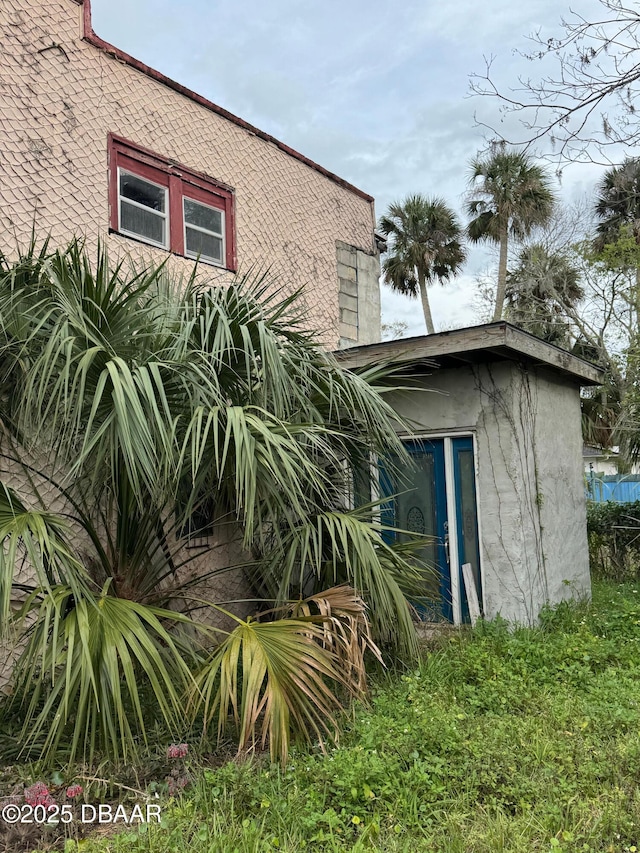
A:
[(498, 479)]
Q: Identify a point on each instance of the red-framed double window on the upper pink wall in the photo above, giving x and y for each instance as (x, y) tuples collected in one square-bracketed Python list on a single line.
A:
[(167, 205)]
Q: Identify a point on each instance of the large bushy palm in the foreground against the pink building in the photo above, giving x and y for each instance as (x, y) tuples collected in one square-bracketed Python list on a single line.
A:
[(129, 403)]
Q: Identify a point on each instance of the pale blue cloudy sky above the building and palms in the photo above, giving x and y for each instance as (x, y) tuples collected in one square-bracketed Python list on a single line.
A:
[(377, 94)]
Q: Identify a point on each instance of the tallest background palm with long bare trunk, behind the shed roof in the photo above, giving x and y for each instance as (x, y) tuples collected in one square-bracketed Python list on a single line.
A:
[(510, 196)]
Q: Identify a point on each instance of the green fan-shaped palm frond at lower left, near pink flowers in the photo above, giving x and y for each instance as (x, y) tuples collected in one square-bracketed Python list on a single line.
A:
[(79, 676)]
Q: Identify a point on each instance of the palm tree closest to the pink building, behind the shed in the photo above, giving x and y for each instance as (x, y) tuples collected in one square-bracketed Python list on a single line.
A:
[(425, 245)]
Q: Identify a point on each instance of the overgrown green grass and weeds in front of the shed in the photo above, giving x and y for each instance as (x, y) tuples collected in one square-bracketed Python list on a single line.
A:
[(525, 741)]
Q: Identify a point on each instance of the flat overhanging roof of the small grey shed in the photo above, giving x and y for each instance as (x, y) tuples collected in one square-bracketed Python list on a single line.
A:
[(475, 345)]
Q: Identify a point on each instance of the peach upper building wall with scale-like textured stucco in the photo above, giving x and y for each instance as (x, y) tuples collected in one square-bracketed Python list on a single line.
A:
[(59, 98)]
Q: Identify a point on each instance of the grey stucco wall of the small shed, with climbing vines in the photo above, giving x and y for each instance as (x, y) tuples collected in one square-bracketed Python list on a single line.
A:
[(530, 491)]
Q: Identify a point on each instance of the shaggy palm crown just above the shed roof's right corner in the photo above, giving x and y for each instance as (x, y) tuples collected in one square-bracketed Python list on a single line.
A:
[(540, 290)]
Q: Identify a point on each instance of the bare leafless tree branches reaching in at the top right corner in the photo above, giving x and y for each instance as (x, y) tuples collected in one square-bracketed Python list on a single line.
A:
[(587, 105)]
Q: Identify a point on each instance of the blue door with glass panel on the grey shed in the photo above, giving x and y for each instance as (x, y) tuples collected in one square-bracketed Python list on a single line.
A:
[(419, 503)]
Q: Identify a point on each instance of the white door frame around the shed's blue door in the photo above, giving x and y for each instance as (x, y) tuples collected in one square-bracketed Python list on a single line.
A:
[(452, 515)]
